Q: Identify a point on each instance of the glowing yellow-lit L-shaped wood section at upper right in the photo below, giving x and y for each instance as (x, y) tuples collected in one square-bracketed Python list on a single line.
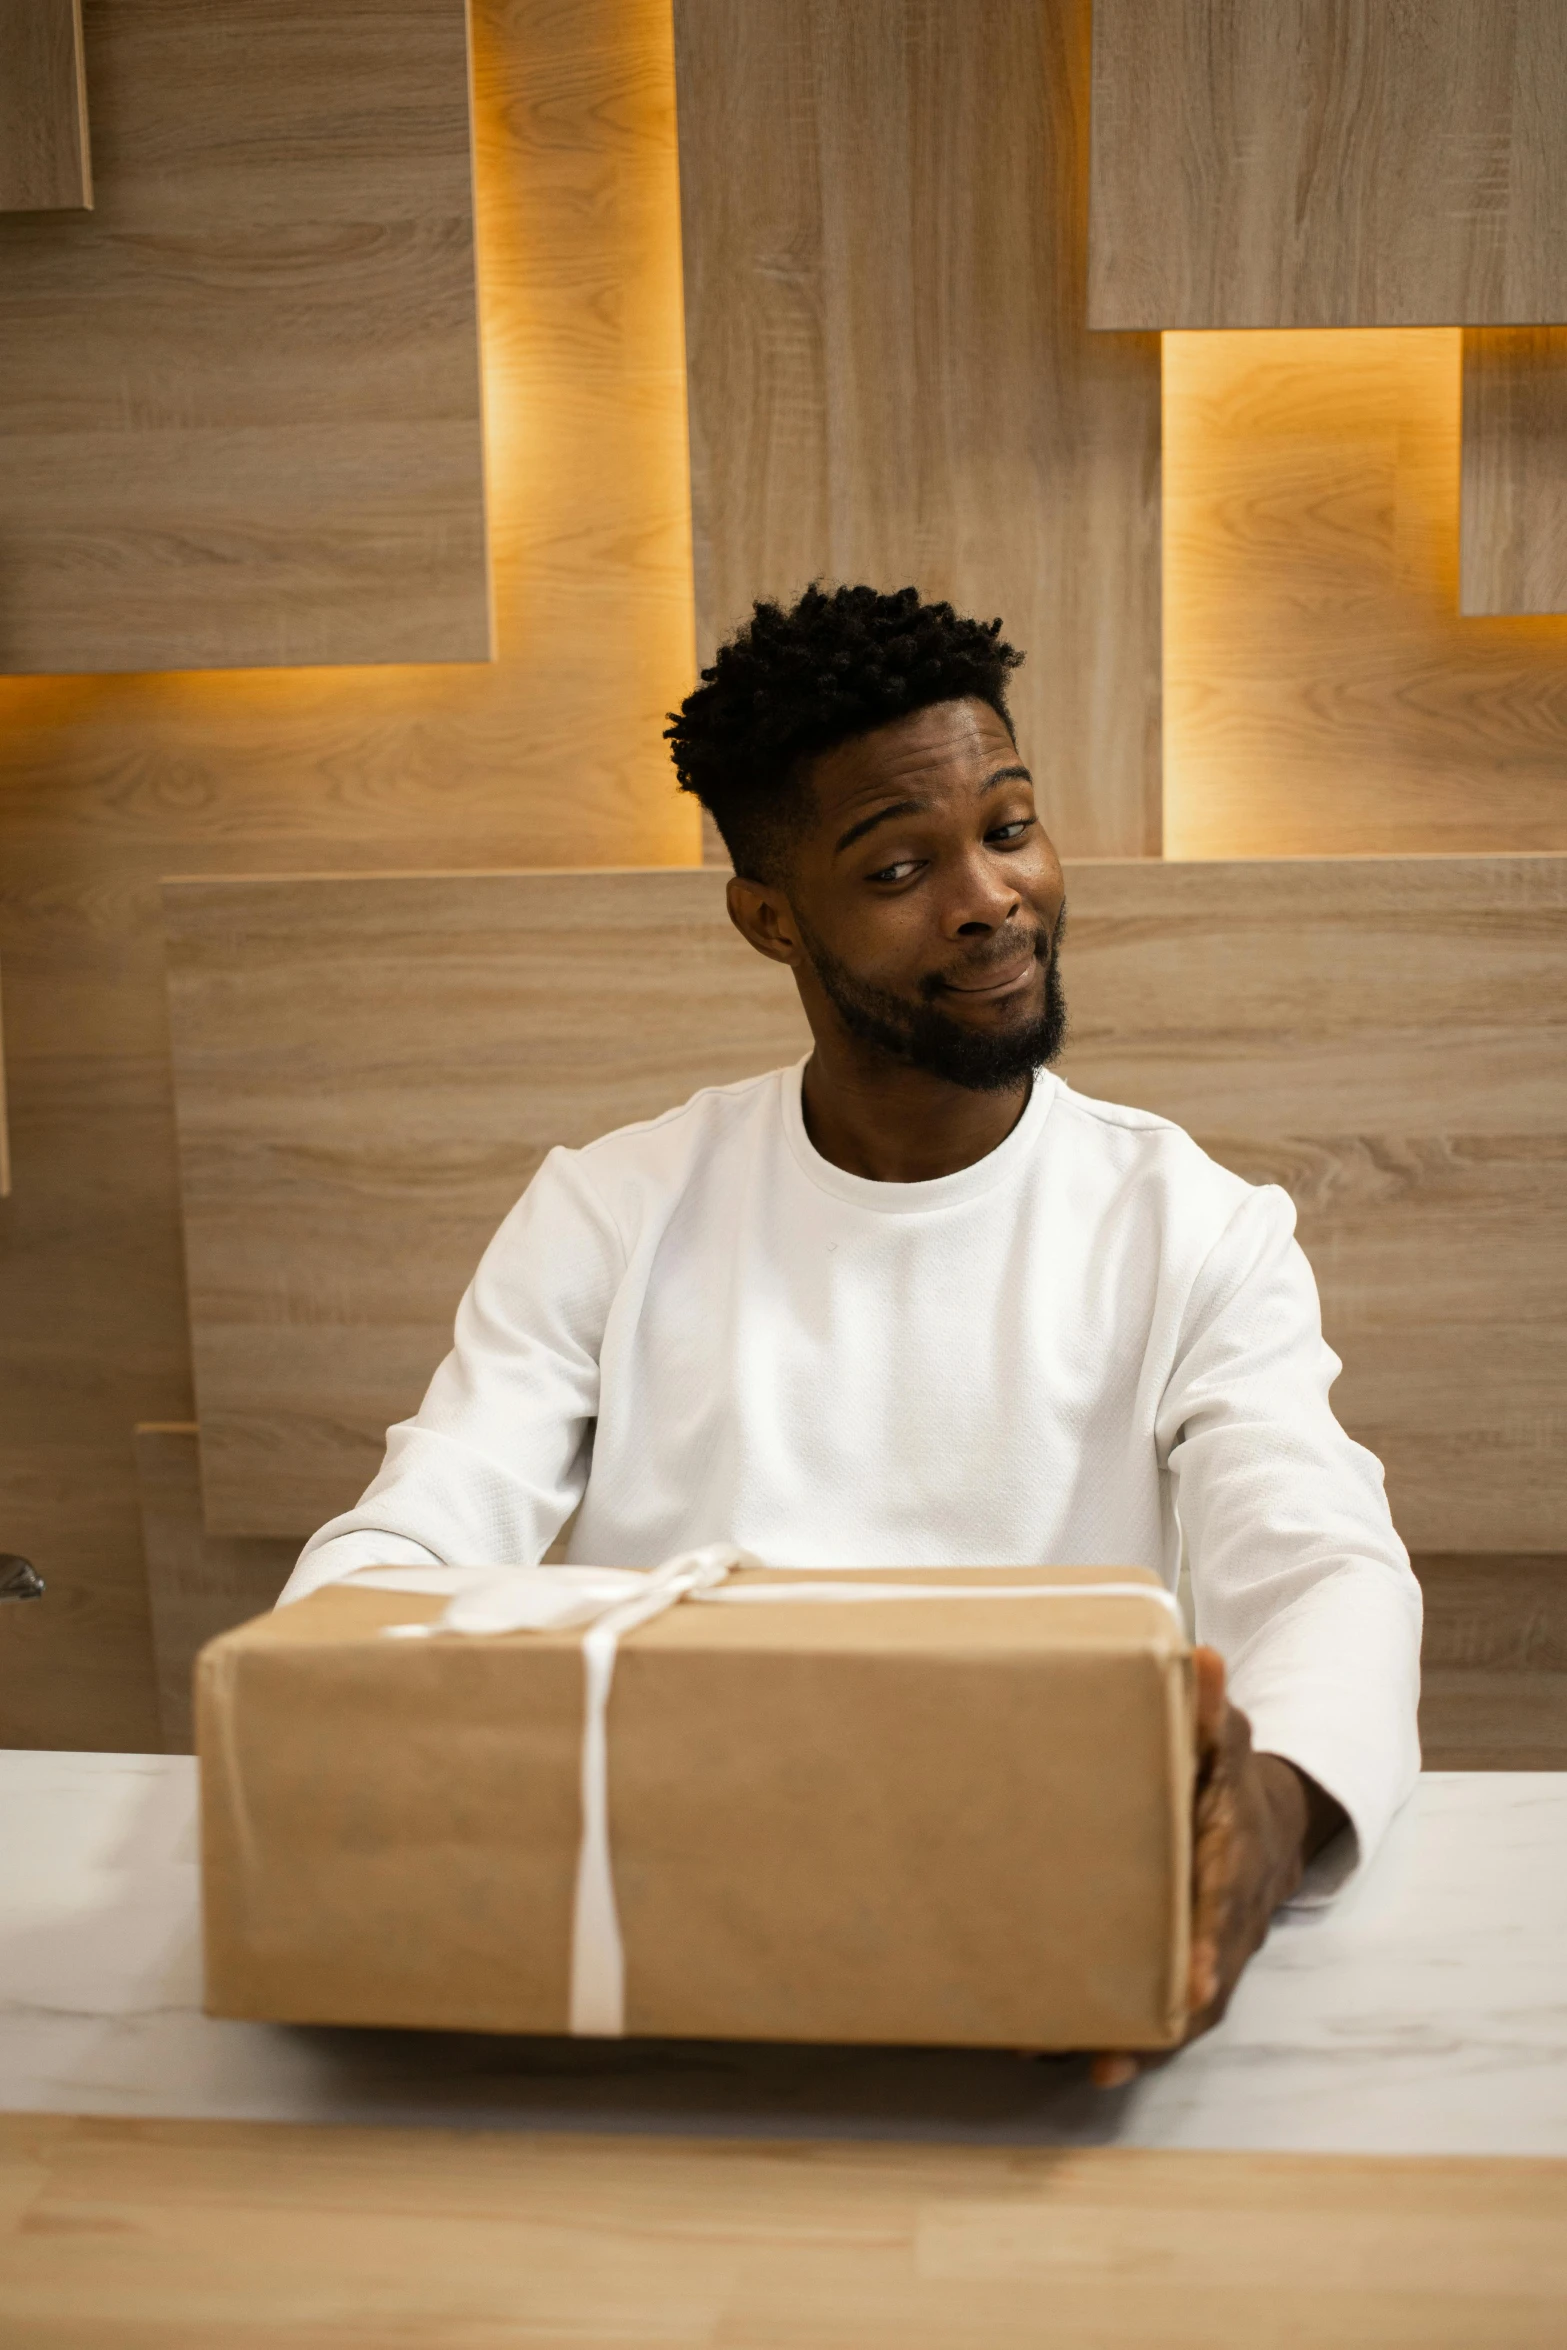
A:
[(1321, 692)]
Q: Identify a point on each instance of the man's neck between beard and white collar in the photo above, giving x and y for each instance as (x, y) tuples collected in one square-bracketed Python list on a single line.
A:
[(892, 1124)]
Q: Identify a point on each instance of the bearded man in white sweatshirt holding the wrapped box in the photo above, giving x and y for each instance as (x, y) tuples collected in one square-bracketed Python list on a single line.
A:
[(920, 1303)]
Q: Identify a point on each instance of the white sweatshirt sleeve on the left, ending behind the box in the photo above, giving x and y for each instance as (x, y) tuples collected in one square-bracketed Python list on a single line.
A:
[(497, 1456)]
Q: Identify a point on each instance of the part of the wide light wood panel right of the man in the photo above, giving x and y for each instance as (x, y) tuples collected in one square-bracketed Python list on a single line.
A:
[(1385, 1040)]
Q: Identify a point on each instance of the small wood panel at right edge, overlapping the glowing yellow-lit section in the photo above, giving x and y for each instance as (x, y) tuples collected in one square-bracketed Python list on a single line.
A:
[(1514, 516)]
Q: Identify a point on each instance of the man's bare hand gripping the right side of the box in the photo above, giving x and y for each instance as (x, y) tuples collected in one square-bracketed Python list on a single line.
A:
[(1258, 1822)]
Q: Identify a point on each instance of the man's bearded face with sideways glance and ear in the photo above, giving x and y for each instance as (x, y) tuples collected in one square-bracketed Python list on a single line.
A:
[(924, 899)]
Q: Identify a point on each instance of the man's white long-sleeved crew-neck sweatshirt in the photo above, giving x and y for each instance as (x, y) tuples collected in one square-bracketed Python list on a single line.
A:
[(1068, 1355)]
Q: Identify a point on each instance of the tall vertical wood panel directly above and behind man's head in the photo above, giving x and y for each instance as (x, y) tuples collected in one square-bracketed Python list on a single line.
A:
[(885, 220)]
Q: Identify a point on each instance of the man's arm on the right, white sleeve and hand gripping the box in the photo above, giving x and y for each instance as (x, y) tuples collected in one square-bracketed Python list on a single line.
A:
[(1305, 1606)]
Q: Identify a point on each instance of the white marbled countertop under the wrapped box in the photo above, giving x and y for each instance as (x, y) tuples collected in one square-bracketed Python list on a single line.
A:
[(1425, 2013)]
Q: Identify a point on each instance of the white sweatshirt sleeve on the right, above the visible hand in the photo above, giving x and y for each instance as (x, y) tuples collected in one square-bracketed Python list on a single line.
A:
[(1298, 1576)]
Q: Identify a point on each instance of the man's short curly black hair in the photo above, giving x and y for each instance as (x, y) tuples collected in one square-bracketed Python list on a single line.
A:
[(793, 685)]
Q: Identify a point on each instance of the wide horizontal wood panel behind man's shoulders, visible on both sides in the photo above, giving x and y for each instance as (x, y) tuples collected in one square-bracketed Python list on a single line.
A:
[(372, 1068)]
